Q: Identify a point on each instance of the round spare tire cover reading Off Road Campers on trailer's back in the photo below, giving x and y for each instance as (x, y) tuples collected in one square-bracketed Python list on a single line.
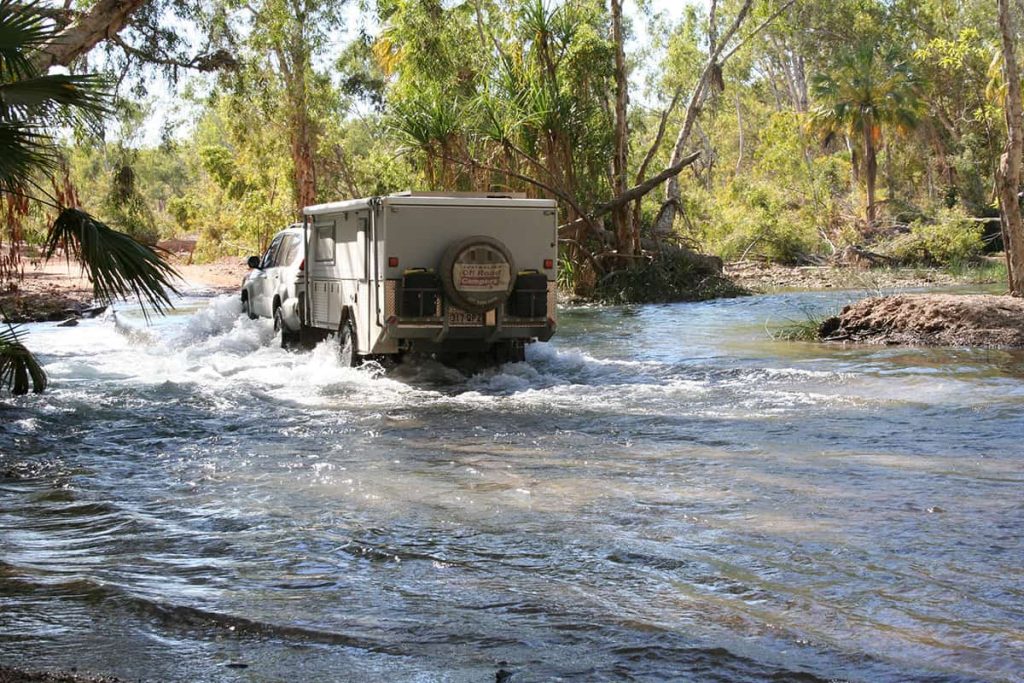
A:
[(478, 273)]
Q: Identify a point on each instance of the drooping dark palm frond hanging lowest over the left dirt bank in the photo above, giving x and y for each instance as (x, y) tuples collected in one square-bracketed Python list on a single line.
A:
[(117, 266)]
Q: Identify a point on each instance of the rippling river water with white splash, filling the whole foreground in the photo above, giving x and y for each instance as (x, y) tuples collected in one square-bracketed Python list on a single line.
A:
[(662, 493)]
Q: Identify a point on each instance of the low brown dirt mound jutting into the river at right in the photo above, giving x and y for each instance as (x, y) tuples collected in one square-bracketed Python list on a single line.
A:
[(931, 320)]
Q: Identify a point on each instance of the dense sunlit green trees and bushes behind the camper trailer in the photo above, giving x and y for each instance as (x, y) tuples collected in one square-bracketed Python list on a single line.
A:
[(842, 122)]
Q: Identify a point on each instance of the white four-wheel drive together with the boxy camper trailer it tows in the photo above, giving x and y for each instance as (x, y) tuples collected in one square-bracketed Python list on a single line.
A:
[(446, 275)]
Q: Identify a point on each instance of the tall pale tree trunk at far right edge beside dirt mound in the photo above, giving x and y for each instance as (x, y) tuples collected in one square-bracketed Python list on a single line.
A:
[(1008, 177)]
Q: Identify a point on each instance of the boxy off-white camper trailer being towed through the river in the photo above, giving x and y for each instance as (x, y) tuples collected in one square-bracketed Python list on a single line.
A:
[(361, 254)]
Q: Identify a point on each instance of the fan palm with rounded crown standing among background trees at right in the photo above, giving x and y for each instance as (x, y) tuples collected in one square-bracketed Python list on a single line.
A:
[(868, 89)]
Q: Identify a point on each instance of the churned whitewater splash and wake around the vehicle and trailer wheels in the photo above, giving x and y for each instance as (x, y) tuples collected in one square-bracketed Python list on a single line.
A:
[(211, 345)]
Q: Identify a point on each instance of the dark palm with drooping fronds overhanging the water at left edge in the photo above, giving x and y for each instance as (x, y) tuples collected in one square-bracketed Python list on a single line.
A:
[(31, 105)]
